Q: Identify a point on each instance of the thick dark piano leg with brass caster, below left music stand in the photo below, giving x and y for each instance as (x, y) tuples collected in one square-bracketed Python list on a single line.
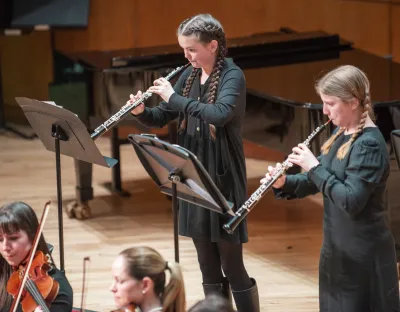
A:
[(80, 208)]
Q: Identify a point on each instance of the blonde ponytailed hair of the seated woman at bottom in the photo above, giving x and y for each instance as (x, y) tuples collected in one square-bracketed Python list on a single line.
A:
[(147, 262)]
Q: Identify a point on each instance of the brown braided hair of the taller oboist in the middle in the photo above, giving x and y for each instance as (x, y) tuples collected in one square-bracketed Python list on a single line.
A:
[(205, 28)]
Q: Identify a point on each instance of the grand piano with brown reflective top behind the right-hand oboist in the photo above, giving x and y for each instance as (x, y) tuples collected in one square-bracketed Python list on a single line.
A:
[(283, 108)]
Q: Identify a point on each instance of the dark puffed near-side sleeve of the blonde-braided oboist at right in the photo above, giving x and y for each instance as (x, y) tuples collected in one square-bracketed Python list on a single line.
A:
[(365, 170)]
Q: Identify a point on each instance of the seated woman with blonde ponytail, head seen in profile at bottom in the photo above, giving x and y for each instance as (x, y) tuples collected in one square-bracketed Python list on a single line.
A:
[(139, 280)]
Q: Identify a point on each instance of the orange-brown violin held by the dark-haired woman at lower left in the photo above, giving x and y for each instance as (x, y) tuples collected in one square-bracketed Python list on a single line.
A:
[(40, 289)]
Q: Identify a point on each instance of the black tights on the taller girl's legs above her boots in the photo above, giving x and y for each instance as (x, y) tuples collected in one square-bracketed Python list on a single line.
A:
[(228, 256)]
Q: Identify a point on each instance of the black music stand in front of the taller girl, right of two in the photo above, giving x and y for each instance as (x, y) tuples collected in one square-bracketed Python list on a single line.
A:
[(178, 173)]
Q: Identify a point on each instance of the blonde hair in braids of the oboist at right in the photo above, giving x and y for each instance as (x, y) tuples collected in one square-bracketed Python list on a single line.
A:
[(347, 83)]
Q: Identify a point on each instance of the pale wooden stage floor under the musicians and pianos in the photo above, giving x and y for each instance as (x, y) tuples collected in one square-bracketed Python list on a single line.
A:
[(282, 253)]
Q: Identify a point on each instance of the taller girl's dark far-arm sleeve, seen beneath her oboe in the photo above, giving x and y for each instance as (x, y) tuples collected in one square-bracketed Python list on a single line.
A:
[(161, 115)]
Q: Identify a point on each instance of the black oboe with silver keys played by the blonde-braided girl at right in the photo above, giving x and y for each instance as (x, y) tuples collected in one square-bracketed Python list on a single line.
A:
[(244, 210)]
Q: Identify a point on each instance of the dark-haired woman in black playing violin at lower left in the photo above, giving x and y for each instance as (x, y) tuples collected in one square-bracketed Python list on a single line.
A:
[(18, 226)]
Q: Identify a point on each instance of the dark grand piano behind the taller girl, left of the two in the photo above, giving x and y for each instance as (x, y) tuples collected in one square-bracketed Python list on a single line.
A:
[(95, 84)]
